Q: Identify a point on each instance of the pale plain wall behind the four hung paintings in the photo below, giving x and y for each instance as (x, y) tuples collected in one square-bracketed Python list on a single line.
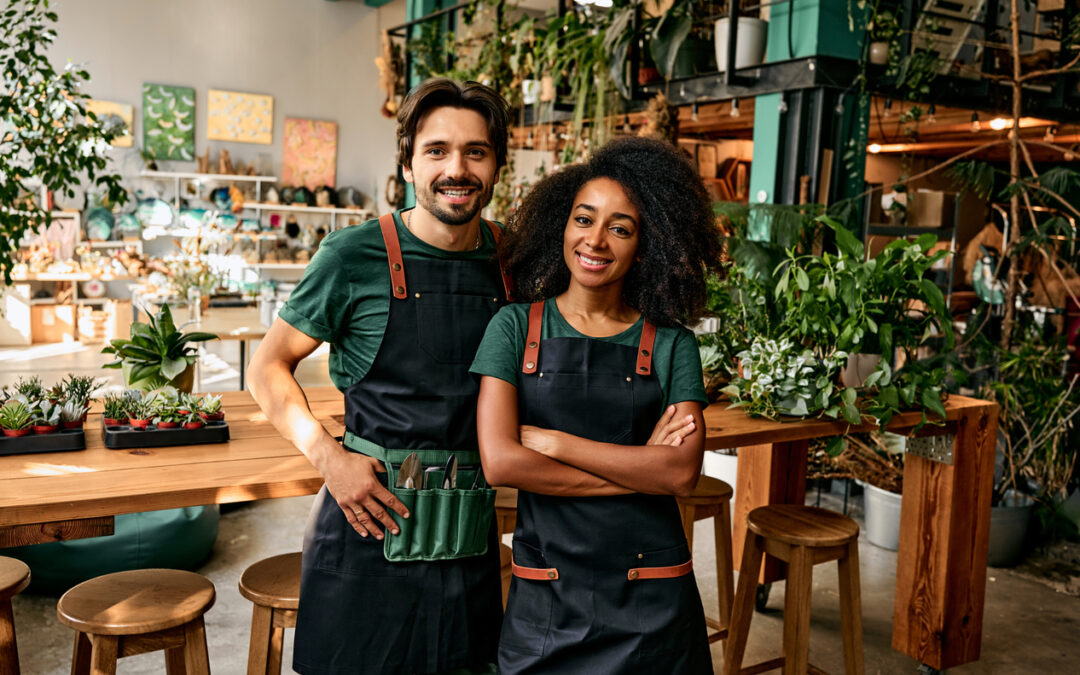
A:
[(316, 58)]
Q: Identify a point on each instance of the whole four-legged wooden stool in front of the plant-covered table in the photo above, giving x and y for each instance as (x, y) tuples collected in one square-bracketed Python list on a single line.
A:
[(803, 537)]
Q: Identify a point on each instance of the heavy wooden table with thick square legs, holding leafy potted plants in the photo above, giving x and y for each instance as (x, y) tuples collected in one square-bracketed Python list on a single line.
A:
[(946, 517)]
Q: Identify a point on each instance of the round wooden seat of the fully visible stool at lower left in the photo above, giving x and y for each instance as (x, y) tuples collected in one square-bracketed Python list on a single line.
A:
[(137, 602)]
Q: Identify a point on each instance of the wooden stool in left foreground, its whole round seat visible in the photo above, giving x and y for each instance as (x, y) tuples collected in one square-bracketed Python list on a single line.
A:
[(137, 612)]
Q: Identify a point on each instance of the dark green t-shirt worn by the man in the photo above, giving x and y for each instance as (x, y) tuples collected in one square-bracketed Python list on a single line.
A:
[(344, 298)]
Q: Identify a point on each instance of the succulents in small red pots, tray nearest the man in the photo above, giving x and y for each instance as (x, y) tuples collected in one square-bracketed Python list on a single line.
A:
[(166, 409)]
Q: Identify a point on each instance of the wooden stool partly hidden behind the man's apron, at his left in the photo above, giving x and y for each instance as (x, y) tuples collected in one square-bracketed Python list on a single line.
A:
[(274, 586)]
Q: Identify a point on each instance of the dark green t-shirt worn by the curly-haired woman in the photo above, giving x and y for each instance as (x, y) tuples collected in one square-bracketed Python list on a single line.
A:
[(677, 363)]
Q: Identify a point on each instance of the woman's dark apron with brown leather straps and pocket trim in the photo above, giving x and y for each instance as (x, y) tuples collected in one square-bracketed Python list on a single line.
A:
[(602, 585)]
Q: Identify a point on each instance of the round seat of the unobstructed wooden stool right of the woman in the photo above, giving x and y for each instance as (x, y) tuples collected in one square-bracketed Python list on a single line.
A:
[(803, 526)]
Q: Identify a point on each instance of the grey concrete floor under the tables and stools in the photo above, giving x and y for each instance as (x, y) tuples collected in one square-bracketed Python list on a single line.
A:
[(1029, 628)]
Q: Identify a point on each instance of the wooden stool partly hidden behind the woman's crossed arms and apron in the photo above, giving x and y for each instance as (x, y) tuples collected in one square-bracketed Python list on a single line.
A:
[(712, 499)]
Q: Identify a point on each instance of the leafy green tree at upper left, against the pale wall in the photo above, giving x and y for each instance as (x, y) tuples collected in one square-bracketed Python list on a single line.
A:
[(47, 137)]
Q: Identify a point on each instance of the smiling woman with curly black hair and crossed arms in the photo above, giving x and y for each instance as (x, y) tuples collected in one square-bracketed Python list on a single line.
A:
[(612, 253)]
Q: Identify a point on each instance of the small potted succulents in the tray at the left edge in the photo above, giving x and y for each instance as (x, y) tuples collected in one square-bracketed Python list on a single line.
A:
[(32, 409)]
